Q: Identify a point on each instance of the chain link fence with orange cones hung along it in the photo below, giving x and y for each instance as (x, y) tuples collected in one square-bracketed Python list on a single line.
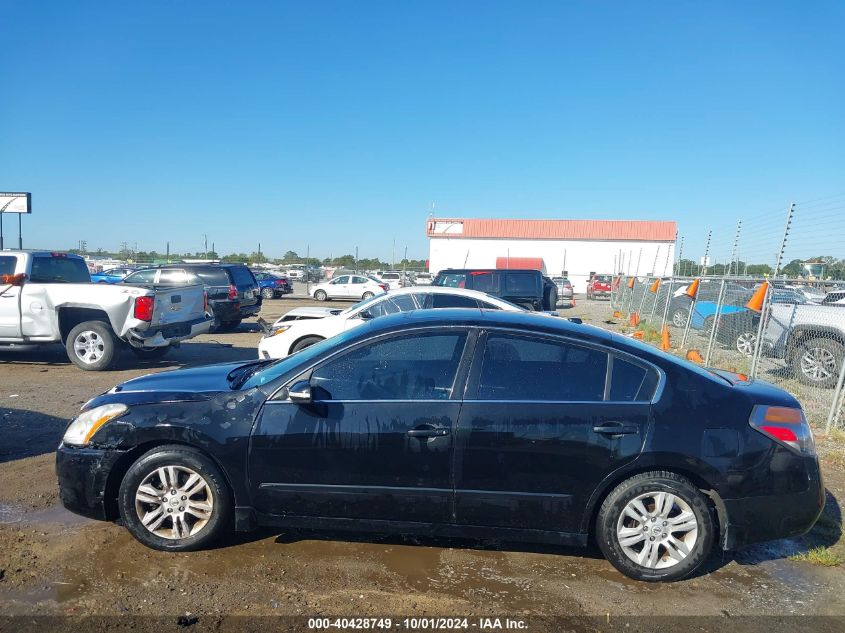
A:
[(786, 326)]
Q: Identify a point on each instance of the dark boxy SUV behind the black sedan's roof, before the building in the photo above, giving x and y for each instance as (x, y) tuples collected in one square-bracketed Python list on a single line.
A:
[(528, 288)]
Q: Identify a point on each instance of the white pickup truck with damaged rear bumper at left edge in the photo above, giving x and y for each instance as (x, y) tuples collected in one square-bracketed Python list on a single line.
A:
[(48, 298)]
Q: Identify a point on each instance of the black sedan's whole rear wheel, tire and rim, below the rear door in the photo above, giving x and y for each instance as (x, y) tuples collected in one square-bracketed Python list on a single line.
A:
[(689, 508)]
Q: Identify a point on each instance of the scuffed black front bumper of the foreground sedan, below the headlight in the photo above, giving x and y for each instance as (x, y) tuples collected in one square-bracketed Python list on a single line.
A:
[(83, 475)]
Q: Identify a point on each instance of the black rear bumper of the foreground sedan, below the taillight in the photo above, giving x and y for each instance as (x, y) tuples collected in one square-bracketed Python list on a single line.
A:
[(770, 517)]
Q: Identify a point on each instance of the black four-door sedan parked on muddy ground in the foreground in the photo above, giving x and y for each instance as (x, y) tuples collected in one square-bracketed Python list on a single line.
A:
[(466, 423)]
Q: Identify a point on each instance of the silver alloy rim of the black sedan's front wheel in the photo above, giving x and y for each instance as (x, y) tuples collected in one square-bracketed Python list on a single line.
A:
[(174, 502)]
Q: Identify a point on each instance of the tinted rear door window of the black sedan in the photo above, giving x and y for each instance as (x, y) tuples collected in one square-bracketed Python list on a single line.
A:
[(516, 367)]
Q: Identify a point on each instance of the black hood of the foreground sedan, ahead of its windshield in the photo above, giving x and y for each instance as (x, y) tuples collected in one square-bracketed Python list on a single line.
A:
[(181, 385)]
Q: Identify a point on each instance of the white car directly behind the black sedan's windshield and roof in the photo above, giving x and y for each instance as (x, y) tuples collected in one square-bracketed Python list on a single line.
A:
[(293, 332)]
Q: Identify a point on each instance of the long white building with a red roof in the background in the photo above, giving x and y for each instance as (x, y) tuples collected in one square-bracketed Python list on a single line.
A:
[(576, 248)]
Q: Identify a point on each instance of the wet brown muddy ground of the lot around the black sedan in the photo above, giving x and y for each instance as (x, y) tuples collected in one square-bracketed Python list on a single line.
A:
[(52, 562)]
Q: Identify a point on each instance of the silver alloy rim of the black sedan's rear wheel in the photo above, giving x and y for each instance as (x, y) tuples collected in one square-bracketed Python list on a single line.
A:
[(657, 530)]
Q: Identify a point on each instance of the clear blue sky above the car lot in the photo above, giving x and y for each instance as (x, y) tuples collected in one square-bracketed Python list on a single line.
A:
[(338, 124)]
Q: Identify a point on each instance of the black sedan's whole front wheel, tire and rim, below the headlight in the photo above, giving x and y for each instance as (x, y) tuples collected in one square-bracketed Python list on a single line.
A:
[(199, 524)]
